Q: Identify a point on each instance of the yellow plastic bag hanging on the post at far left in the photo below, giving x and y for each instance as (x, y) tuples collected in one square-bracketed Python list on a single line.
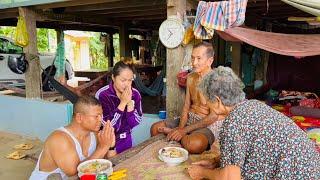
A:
[(21, 36)]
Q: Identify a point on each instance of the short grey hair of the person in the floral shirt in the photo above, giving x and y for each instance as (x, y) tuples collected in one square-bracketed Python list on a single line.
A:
[(225, 84)]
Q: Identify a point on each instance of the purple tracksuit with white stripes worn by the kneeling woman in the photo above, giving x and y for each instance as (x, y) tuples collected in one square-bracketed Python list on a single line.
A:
[(122, 121)]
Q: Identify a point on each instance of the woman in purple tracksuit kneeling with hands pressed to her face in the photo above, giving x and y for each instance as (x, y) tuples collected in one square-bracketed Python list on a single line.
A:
[(121, 104)]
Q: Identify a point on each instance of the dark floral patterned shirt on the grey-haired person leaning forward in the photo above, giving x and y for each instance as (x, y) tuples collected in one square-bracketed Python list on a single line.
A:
[(266, 144)]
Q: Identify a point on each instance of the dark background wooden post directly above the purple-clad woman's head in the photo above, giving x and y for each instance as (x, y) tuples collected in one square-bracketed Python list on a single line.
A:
[(124, 41)]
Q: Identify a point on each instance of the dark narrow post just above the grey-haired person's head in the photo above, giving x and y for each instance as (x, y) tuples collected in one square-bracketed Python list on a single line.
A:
[(236, 58)]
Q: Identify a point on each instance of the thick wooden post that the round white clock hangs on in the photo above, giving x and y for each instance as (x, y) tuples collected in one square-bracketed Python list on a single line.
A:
[(175, 95)]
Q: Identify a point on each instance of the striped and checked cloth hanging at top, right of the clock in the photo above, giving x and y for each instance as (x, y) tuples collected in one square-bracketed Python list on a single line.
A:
[(218, 16)]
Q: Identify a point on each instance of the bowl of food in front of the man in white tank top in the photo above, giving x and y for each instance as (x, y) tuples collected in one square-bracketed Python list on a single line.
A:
[(95, 166)]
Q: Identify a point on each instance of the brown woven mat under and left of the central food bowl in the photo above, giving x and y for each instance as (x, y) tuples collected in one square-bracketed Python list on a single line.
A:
[(146, 164)]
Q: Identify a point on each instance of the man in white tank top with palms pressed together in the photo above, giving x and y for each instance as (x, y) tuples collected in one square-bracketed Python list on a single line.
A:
[(81, 140)]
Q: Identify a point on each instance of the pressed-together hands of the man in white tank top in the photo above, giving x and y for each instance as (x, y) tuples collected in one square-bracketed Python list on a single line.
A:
[(106, 137)]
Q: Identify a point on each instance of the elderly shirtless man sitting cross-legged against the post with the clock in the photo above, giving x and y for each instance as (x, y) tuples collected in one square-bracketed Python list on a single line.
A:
[(192, 129)]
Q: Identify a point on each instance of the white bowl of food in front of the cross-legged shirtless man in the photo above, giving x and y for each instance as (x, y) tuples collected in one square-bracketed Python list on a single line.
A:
[(173, 155)]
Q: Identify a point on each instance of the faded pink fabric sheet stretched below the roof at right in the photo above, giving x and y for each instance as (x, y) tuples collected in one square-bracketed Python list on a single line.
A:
[(284, 44)]
